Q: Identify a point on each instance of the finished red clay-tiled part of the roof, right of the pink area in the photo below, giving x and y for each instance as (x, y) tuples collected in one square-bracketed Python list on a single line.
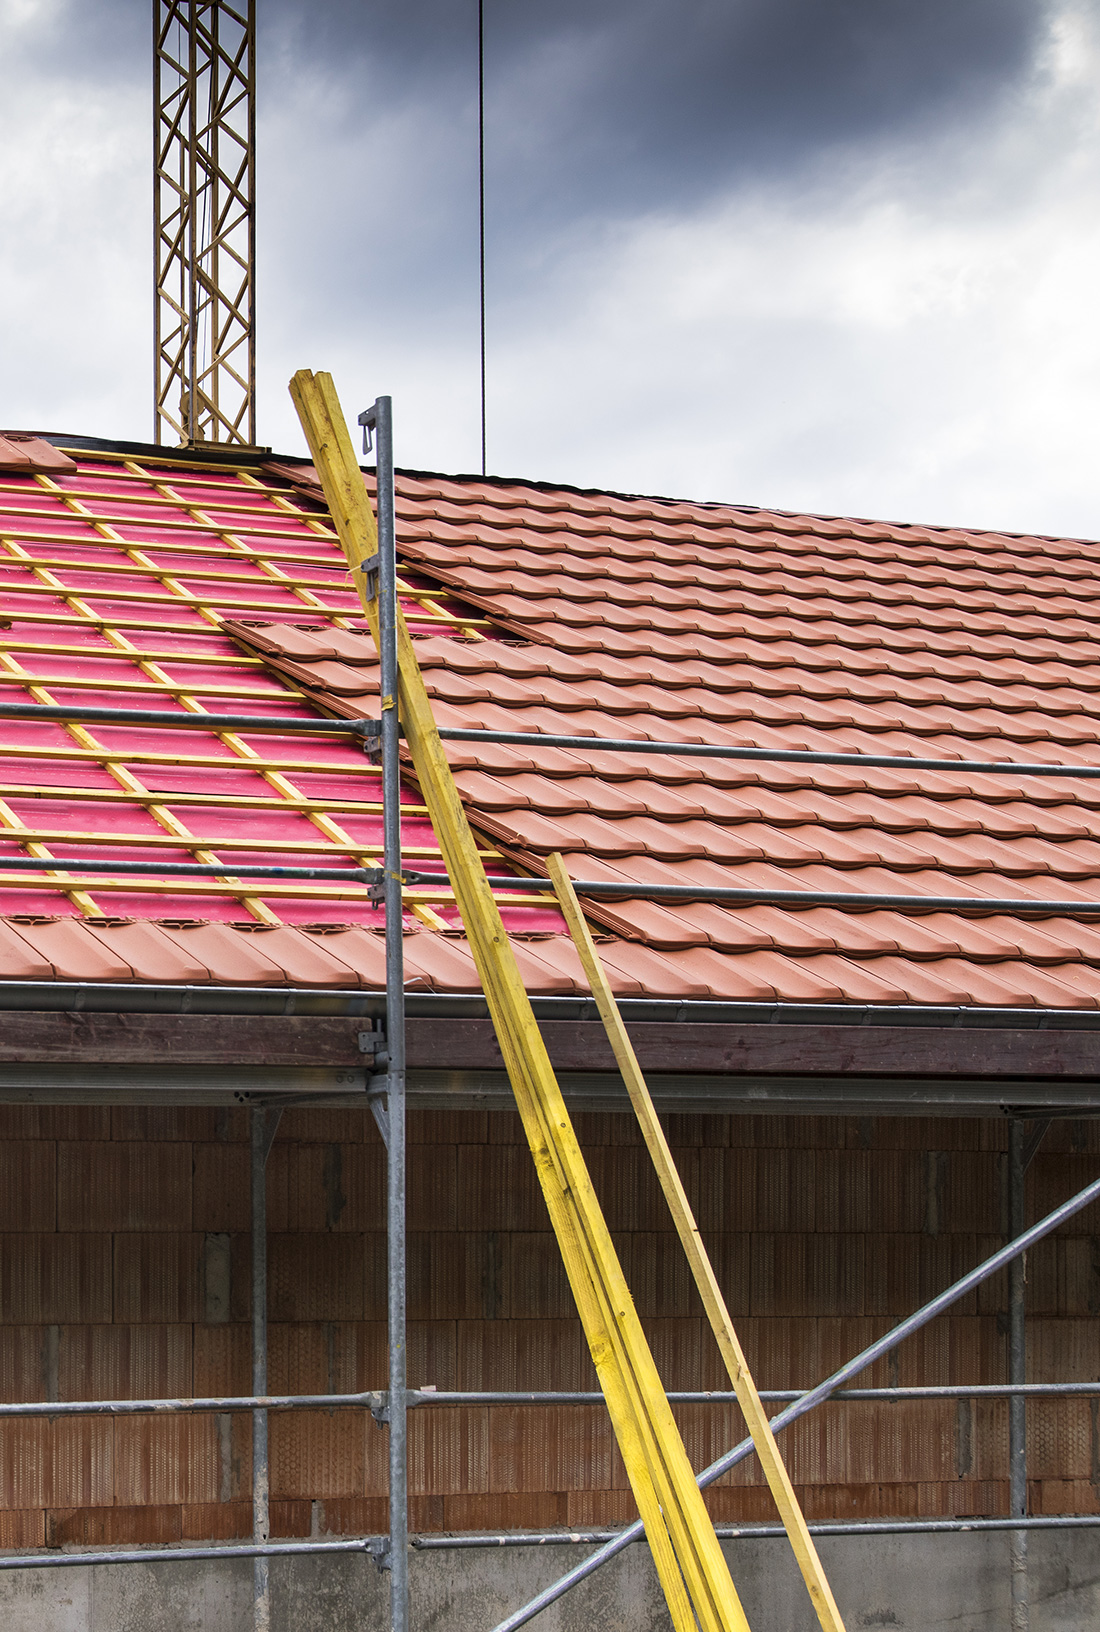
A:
[(716, 624)]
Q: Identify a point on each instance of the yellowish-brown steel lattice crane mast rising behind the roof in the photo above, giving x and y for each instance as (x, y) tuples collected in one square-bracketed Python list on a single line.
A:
[(205, 264)]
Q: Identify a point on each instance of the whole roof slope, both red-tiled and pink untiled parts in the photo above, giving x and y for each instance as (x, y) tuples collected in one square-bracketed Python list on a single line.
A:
[(148, 580)]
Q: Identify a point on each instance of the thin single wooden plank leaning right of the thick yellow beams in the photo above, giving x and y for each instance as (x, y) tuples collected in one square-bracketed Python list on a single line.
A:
[(701, 1266)]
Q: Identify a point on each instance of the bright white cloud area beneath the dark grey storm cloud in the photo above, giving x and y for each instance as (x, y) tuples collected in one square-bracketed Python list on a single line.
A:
[(910, 334)]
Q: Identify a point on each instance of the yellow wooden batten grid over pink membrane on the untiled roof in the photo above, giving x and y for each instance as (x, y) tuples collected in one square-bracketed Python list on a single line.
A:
[(118, 543)]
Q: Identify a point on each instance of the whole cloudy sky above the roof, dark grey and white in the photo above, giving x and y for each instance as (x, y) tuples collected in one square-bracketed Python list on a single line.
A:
[(840, 255)]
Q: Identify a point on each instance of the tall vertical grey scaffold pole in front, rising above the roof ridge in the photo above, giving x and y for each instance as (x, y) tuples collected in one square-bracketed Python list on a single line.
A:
[(394, 1018)]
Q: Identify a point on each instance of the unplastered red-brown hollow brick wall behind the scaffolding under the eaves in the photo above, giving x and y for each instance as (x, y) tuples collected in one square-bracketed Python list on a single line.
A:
[(125, 1274)]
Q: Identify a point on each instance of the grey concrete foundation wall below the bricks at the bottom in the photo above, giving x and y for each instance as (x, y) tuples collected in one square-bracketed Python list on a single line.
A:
[(907, 1584)]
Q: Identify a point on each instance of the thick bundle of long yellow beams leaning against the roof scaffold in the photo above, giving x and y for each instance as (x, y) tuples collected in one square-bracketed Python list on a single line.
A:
[(681, 1537)]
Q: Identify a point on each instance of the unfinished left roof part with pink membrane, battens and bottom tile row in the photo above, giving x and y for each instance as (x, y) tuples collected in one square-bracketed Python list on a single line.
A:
[(117, 580)]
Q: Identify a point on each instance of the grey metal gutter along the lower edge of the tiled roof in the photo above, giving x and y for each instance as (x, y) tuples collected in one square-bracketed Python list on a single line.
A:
[(149, 998)]
